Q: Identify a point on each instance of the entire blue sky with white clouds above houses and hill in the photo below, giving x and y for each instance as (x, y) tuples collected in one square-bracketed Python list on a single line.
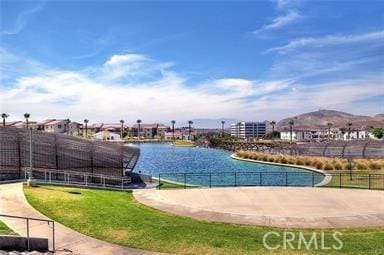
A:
[(163, 60)]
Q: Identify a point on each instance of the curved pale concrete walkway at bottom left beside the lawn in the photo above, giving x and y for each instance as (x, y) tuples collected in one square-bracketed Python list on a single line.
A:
[(13, 202)]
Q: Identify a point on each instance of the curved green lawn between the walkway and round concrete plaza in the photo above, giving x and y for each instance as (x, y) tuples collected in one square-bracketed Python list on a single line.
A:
[(116, 217)]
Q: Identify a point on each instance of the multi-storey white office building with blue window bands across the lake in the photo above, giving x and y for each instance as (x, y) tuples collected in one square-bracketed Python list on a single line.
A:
[(246, 130)]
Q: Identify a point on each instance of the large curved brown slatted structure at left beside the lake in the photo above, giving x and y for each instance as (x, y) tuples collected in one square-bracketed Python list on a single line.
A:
[(62, 153)]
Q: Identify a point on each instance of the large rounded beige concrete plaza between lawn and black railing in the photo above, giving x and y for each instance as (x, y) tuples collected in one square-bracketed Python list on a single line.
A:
[(273, 206)]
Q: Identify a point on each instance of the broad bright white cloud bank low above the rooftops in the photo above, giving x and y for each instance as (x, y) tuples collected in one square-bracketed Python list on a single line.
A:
[(80, 94)]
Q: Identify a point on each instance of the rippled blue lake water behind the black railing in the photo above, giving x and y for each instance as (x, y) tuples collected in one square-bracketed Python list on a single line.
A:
[(206, 166)]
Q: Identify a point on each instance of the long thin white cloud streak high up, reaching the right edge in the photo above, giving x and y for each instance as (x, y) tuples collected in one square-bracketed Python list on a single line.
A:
[(328, 40)]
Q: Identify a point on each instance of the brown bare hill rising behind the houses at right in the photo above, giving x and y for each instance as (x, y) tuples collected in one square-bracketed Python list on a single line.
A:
[(320, 118)]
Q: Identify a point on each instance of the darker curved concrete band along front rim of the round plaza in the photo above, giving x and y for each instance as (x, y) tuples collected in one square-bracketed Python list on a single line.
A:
[(153, 200)]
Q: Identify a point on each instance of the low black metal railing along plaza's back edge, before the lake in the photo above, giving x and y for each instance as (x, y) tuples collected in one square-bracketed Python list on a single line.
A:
[(285, 179)]
